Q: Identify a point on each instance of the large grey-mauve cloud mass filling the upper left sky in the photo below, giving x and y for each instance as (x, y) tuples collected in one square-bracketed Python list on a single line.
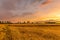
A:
[(11, 5)]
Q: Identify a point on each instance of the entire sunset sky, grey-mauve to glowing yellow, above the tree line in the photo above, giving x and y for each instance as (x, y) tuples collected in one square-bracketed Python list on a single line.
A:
[(29, 10)]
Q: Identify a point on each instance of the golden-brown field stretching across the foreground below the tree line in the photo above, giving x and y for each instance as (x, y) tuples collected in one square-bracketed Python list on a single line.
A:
[(29, 32)]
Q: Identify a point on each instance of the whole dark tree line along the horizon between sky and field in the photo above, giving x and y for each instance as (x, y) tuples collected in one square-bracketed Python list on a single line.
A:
[(25, 22)]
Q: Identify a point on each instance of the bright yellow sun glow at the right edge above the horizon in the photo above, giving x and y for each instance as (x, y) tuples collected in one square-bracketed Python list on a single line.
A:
[(53, 16)]
